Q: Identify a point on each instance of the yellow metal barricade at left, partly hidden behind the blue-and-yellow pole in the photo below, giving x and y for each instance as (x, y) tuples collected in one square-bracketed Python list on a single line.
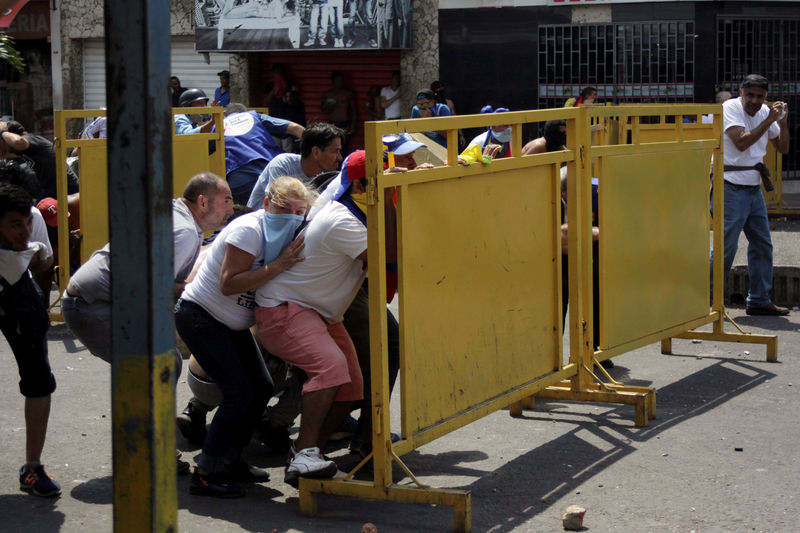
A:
[(190, 156)]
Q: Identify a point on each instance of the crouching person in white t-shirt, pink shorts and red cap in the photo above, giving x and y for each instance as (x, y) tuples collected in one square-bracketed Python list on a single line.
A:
[(299, 318)]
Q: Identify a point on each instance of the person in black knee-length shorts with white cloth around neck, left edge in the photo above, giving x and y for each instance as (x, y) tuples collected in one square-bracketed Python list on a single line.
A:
[(23, 320)]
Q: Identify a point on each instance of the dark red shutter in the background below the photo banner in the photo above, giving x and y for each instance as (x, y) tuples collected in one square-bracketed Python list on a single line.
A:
[(311, 72)]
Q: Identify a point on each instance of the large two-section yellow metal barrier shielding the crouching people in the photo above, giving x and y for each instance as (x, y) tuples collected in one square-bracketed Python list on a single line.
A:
[(480, 277)]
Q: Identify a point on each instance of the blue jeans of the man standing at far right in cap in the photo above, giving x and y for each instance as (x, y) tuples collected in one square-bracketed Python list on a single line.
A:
[(745, 210)]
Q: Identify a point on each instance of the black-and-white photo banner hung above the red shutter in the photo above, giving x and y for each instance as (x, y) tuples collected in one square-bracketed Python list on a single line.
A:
[(264, 25)]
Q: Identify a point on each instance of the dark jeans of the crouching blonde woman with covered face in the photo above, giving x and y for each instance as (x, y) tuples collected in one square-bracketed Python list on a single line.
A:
[(232, 360)]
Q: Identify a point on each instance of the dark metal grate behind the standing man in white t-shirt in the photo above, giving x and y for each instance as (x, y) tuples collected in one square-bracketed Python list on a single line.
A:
[(768, 47)]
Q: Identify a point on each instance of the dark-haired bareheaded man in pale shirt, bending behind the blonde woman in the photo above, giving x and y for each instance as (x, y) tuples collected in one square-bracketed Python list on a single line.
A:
[(320, 151)]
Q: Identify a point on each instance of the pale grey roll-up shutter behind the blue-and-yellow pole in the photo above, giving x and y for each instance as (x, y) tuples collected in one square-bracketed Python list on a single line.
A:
[(187, 64)]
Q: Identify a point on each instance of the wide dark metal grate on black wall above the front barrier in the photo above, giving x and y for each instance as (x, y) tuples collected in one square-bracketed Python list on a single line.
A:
[(627, 62)]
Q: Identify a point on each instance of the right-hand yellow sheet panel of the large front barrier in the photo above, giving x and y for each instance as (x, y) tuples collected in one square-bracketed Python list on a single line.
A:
[(654, 245)]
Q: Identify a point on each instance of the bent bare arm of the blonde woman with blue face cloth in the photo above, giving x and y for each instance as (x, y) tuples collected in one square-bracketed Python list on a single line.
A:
[(235, 276)]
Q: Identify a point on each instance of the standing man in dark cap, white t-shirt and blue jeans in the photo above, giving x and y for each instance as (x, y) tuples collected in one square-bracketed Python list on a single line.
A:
[(748, 123)]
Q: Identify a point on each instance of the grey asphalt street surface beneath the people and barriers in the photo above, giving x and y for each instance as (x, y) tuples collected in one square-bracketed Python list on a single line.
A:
[(683, 472)]
